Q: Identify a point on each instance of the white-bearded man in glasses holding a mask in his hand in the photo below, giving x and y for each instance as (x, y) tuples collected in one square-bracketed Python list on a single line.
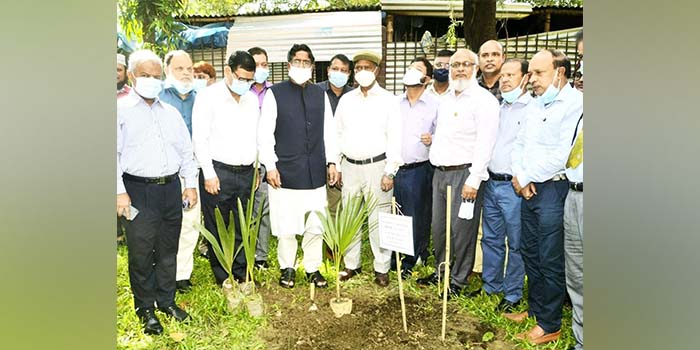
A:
[(464, 137)]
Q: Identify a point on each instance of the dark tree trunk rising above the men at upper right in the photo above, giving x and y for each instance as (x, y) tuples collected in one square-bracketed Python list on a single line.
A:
[(479, 22)]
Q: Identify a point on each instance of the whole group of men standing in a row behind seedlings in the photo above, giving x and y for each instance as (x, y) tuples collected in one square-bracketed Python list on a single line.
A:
[(498, 146)]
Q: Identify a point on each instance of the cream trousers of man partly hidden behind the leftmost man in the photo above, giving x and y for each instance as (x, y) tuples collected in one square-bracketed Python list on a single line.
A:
[(188, 237)]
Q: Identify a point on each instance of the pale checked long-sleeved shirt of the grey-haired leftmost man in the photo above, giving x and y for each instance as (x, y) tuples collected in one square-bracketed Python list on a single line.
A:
[(152, 141)]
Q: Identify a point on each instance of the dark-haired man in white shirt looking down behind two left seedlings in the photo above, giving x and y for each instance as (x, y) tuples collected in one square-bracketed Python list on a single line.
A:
[(224, 132)]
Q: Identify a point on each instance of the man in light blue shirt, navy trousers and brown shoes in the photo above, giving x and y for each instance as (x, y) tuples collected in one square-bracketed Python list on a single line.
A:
[(539, 157)]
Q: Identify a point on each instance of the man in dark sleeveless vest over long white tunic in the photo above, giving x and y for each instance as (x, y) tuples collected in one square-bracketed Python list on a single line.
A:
[(297, 145)]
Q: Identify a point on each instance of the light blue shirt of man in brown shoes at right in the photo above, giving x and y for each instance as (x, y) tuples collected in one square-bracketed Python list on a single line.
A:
[(543, 143)]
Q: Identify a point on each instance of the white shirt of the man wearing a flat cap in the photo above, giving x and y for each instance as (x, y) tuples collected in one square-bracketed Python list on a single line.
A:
[(370, 125)]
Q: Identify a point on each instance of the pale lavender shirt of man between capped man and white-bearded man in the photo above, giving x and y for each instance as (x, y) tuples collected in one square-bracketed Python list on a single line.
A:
[(418, 119)]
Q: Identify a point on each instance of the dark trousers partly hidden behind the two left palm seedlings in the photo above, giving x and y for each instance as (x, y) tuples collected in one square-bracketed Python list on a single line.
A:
[(234, 184)]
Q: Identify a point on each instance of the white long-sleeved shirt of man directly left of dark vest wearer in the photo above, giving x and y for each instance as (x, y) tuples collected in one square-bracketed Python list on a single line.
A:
[(223, 129)]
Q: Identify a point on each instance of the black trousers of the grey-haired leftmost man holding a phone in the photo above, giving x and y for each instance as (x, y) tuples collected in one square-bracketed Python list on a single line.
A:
[(152, 240)]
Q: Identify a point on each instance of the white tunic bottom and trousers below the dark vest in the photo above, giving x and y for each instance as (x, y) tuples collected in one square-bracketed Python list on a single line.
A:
[(292, 213)]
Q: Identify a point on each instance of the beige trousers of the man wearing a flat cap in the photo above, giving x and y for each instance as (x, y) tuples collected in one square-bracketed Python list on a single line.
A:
[(367, 179)]
